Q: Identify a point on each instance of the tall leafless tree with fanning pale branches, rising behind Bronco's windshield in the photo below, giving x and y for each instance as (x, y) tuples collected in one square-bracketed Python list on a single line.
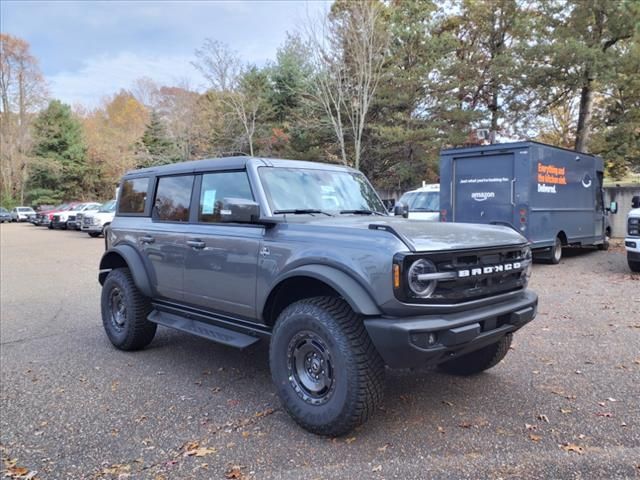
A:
[(349, 51)]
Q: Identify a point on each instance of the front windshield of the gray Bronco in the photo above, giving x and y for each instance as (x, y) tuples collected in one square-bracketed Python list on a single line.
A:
[(332, 191)]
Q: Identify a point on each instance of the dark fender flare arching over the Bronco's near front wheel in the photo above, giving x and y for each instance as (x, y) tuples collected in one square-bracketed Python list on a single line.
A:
[(350, 289)]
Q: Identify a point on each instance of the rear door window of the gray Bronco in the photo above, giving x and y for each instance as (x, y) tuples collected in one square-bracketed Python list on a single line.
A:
[(173, 198)]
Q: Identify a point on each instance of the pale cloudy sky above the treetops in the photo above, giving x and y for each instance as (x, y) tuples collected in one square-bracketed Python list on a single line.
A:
[(89, 49)]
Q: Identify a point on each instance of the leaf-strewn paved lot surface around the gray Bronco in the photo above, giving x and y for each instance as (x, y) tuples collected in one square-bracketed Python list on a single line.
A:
[(565, 403)]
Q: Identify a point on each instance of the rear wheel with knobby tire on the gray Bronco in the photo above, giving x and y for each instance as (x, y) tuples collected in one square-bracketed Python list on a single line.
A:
[(125, 311)]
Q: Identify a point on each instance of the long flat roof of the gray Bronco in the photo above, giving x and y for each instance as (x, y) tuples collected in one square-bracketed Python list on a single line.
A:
[(230, 163)]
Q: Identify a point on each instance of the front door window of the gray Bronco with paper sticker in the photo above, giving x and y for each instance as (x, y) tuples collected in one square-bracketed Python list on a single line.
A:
[(218, 186)]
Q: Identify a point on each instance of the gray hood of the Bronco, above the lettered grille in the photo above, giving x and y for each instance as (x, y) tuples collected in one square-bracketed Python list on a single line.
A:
[(422, 235)]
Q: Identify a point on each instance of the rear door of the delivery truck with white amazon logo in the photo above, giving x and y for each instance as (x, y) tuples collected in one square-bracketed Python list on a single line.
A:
[(483, 189)]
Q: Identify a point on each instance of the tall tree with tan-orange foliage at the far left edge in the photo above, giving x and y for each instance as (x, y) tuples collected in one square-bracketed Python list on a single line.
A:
[(22, 90)]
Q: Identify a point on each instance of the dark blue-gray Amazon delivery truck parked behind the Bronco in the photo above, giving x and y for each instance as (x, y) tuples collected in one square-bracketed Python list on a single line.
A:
[(552, 195)]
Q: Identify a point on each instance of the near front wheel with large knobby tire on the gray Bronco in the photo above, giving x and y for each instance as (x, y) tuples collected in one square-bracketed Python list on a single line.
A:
[(324, 332)]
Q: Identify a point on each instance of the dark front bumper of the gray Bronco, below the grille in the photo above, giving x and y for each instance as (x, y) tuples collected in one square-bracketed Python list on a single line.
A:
[(405, 342)]
